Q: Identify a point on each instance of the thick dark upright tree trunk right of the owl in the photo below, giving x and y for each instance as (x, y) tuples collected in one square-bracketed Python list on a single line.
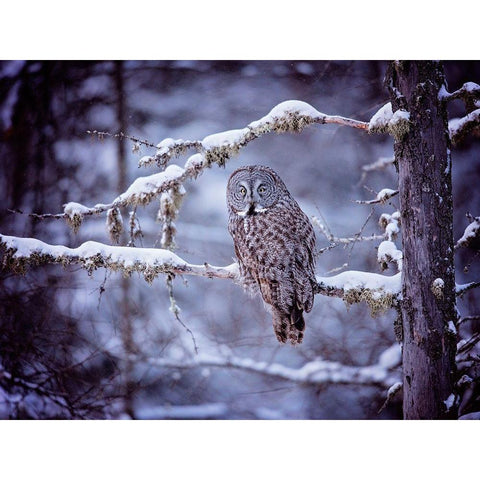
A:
[(428, 278)]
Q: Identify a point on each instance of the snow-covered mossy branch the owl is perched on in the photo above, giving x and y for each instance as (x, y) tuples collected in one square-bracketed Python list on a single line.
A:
[(378, 291)]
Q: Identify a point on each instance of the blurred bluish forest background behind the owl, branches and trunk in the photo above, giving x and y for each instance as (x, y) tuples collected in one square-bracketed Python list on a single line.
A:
[(65, 336)]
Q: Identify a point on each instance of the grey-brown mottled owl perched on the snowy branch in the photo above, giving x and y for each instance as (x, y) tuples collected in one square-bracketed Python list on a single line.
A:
[(274, 243)]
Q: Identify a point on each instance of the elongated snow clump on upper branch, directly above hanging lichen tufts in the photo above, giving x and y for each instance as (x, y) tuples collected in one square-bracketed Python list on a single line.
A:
[(143, 188)]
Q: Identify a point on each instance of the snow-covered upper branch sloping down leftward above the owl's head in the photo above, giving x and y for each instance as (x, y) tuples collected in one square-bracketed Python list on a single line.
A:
[(289, 116)]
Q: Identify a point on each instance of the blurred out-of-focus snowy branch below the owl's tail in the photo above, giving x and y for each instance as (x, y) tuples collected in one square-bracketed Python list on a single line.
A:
[(316, 372)]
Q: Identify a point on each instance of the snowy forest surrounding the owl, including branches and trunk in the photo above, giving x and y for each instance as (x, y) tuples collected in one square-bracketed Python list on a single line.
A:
[(119, 293)]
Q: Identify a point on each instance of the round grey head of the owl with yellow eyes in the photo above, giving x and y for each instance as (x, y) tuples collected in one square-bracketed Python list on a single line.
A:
[(252, 190)]
